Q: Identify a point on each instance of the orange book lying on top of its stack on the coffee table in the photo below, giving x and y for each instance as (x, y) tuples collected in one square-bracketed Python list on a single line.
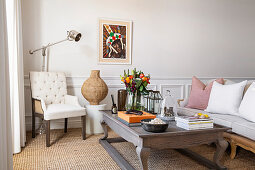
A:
[(132, 118)]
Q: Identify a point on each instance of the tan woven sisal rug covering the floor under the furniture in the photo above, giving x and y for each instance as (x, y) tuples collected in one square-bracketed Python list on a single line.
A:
[(68, 151)]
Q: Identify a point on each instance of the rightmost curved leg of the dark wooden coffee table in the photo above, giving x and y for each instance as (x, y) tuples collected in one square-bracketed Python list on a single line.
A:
[(221, 148)]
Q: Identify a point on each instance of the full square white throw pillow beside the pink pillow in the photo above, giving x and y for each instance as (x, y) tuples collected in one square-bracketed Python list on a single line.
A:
[(226, 99)]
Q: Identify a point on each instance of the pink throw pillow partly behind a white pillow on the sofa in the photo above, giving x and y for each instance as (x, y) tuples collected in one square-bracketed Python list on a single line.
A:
[(200, 93)]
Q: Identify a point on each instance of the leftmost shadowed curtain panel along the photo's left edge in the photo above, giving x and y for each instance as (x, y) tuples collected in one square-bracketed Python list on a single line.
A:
[(5, 113)]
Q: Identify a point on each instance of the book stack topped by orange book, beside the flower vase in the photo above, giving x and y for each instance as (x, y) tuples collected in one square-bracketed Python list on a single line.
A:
[(132, 119)]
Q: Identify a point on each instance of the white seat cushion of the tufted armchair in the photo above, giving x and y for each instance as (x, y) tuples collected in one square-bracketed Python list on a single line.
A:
[(59, 111)]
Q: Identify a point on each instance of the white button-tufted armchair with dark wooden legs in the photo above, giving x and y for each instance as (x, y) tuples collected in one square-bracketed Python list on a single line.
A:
[(50, 101)]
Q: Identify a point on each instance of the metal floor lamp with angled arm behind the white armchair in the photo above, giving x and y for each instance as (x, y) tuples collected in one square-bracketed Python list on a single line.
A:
[(71, 36)]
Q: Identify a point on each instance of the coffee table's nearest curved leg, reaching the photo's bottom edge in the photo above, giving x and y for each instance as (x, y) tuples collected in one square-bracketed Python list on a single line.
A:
[(143, 155)]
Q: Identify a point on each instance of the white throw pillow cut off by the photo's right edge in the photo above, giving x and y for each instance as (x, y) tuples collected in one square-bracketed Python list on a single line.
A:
[(247, 109)]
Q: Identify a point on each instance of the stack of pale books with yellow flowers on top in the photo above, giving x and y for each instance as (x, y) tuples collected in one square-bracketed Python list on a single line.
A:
[(192, 123)]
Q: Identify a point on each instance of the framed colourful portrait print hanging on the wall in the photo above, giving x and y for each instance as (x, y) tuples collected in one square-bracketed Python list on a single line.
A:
[(115, 39)]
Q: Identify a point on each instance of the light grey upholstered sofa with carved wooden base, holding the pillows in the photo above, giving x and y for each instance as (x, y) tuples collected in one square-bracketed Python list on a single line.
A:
[(242, 131)]
